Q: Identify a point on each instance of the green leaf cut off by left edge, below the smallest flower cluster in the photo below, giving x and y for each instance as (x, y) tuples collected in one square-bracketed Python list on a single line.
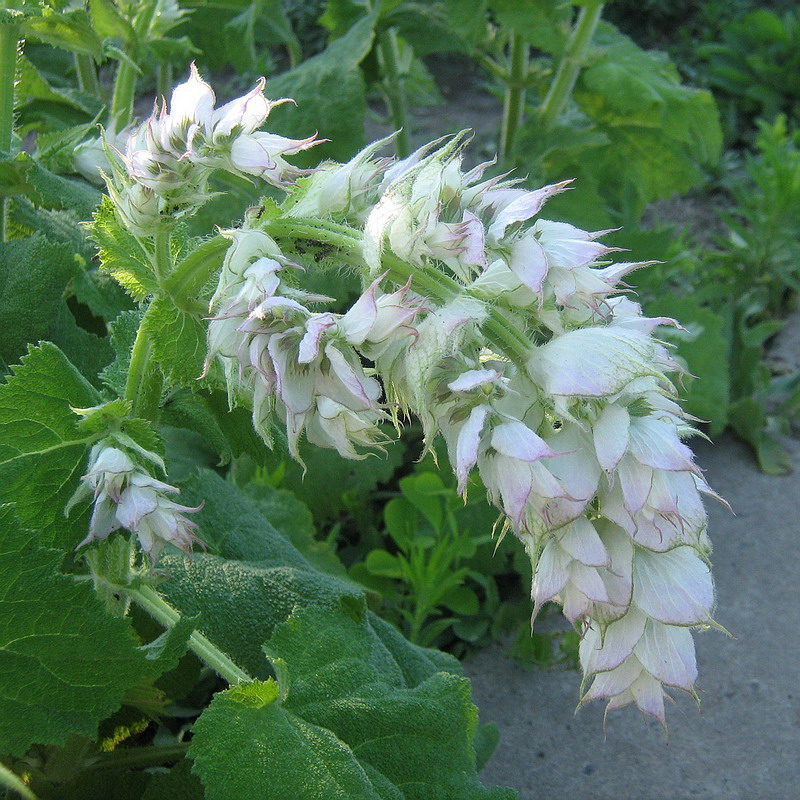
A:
[(65, 663)]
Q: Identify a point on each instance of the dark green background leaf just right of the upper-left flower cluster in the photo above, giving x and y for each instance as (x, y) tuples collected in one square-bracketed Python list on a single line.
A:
[(329, 91)]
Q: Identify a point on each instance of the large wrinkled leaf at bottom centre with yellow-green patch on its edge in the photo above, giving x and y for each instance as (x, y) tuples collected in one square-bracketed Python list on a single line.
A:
[(341, 721)]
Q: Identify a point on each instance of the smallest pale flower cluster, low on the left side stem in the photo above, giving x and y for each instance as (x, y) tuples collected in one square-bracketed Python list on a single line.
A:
[(127, 496)]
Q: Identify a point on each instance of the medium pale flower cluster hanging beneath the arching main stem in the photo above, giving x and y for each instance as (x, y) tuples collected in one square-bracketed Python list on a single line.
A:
[(305, 366)]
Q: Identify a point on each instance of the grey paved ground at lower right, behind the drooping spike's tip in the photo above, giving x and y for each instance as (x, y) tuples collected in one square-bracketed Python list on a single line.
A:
[(744, 742)]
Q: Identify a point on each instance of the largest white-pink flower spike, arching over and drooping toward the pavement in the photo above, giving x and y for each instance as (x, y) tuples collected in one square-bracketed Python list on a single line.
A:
[(538, 373)]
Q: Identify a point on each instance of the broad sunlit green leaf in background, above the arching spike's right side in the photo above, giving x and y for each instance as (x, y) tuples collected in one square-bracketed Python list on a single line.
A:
[(637, 135)]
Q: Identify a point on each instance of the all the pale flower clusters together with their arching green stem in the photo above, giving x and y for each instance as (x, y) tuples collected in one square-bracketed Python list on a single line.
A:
[(509, 335)]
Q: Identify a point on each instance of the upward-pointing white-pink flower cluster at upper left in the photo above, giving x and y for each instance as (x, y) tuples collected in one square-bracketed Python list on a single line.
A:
[(168, 158)]
